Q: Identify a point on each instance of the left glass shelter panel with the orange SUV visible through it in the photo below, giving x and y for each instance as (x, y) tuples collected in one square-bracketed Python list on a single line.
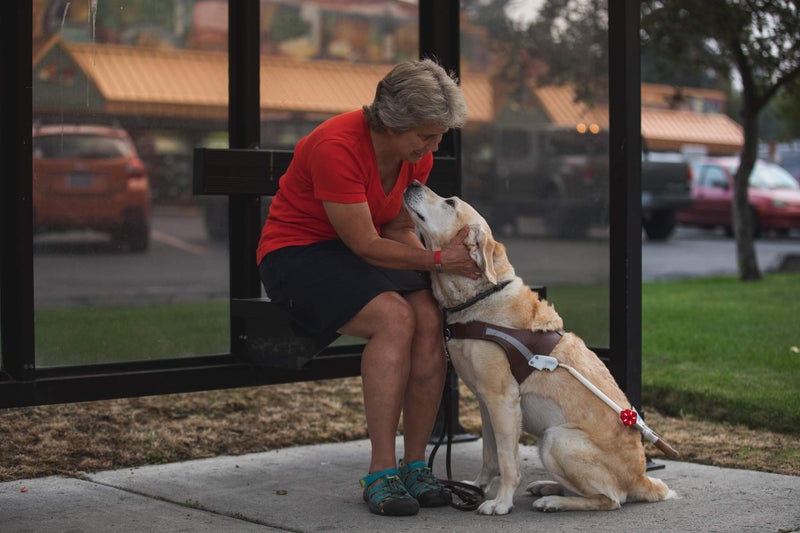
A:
[(124, 266)]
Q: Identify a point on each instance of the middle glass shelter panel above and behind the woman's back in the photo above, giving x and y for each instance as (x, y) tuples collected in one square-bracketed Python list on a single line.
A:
[(320, 59)]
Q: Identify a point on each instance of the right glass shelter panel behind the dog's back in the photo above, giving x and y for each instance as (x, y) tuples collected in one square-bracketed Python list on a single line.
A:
[(535, 149)]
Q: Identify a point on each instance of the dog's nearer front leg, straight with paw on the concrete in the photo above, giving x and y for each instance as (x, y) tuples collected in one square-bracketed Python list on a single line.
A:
[(506, 424)]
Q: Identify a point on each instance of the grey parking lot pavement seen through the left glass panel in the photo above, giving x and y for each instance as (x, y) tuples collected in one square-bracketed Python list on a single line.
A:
[(86, 269)]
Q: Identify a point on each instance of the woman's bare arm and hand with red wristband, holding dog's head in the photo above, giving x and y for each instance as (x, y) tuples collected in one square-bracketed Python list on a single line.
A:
[(400, 249)]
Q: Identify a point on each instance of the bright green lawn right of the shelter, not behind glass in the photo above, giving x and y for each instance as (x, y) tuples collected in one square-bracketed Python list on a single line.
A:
[(724, 350)]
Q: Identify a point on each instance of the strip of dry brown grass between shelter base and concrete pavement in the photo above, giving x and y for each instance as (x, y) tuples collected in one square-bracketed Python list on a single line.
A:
[(75, 438)]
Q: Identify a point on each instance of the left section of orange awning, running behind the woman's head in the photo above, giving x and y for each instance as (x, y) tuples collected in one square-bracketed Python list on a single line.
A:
[(188, 83)]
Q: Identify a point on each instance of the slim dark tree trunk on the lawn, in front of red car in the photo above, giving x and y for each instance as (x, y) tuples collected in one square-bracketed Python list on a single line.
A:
[(743, 223)]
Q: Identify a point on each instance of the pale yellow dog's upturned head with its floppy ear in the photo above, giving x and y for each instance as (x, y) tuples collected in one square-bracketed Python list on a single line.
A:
[(440, 219)]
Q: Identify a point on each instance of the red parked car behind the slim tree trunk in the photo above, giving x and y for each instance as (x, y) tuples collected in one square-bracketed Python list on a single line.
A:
[(773, 193)]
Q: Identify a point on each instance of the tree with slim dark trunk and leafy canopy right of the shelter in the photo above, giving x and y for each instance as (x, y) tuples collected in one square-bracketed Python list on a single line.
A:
[(756, 38)]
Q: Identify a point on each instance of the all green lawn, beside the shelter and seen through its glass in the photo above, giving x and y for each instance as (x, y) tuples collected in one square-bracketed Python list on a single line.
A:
[(713, 348)]
